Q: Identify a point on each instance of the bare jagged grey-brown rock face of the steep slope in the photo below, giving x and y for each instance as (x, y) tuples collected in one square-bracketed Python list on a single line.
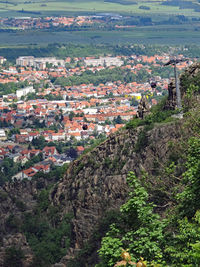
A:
[(97, 182)]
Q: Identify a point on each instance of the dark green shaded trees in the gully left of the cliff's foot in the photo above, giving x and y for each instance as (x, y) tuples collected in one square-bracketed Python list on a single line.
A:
[(48, 236)]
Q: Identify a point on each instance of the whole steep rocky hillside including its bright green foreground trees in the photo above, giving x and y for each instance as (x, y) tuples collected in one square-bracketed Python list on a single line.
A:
[(137, 191)]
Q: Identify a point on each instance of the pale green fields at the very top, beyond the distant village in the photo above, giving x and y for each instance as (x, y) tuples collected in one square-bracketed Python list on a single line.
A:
[(91, 6)]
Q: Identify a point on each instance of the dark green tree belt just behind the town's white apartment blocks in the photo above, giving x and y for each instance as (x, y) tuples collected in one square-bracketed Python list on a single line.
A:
[(73, 50)]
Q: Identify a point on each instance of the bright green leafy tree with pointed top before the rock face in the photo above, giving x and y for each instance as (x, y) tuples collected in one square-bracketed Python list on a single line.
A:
[(140, 230)]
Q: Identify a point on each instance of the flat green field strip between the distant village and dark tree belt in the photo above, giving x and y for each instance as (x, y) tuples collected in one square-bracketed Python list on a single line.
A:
[(180, 34)]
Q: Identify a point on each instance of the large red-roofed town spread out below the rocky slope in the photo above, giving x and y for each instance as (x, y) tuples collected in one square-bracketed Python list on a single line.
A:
[(52, 110)]
